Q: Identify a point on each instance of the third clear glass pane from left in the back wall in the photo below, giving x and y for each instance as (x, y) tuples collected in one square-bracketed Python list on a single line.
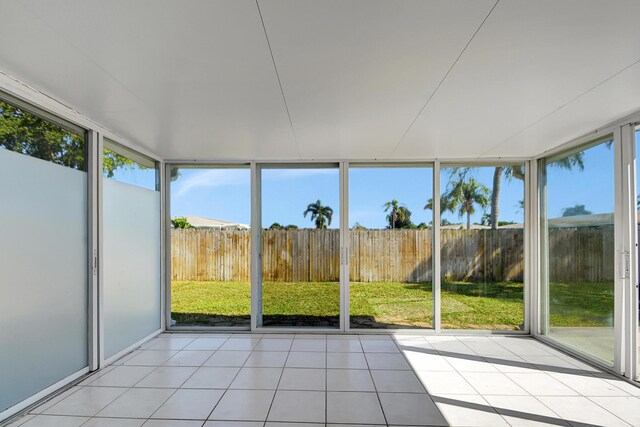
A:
[(390, 229)]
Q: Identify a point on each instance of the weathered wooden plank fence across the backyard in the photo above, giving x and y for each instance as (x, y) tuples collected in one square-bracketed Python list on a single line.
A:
[(584, 253)]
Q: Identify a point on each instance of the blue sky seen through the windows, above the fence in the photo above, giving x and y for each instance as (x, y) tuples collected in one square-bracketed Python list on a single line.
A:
[(225, 193)]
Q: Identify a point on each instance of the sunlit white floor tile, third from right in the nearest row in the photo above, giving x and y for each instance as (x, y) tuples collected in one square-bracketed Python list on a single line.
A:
[(524, 411)]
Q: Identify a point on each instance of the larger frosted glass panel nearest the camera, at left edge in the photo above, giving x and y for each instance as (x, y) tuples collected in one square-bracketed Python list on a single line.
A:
[(43, 275)]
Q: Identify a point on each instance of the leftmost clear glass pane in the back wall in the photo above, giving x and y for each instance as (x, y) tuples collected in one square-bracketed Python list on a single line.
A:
[(211, 246)]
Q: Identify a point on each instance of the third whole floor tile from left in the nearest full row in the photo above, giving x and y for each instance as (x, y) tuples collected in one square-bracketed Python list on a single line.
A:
[(189, 404)]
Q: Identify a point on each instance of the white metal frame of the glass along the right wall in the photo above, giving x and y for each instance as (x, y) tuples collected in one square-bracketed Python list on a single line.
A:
[(625, 246)]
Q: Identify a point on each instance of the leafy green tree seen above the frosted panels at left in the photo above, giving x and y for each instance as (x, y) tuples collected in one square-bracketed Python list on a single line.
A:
[(25, 133)]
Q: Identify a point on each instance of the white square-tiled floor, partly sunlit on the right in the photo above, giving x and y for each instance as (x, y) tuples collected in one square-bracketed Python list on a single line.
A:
[(195, 380)]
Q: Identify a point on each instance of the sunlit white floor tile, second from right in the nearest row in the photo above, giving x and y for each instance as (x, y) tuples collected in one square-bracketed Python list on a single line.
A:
[(578, 409)]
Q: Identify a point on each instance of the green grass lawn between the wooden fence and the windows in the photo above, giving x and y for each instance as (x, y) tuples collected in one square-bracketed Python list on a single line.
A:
[(497, 306)]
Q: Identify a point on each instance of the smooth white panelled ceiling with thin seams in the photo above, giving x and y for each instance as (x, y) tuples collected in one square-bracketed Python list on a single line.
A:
[(332, 79)]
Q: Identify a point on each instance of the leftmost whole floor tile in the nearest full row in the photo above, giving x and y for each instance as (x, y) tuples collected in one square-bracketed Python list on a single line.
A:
[(87, 401)]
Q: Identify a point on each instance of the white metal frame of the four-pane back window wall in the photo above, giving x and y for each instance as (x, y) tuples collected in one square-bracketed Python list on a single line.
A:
[(343, 167)]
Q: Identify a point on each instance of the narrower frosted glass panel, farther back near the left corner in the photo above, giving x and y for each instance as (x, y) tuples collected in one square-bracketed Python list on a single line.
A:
[(131, 245)]
